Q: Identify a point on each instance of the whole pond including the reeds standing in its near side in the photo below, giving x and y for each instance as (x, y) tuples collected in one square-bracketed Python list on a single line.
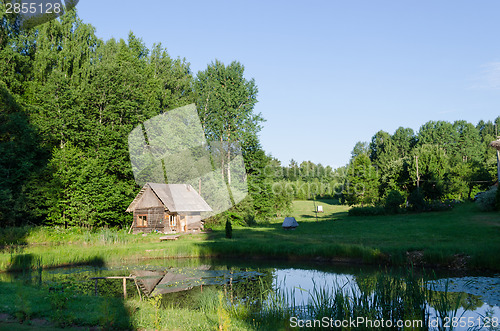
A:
[(306, 291)]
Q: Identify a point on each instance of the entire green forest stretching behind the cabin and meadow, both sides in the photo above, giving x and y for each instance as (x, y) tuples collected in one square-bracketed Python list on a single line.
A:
[(68, 101)]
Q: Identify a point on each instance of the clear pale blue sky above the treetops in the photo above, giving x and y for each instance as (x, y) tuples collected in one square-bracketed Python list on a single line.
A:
[(331, 73)]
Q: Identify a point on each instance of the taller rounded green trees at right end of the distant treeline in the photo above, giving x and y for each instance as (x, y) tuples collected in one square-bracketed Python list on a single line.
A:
[(454, 159)]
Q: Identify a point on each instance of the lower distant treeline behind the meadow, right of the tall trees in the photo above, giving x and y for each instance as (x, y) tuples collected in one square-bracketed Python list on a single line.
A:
[(454, 160)]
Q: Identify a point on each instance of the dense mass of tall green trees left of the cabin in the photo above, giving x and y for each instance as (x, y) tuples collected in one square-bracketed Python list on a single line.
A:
[(80, 98)]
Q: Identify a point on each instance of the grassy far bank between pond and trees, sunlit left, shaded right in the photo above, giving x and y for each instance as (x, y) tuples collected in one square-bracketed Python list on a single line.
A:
[(449, 239)]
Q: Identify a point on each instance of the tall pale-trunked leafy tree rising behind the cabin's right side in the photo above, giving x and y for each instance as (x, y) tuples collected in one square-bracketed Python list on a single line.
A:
[(225, 101)]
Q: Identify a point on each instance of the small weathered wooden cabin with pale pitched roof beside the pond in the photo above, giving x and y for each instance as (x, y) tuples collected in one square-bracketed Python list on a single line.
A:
[(168, 208)]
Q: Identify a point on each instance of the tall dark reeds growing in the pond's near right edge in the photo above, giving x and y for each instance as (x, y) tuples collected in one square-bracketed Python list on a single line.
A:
[(392, 299)]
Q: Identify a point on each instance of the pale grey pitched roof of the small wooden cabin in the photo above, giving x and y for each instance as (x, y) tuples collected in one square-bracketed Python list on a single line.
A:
[(175, 197)]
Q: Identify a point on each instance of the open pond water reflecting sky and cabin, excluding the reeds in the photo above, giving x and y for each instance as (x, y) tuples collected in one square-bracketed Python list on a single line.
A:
[(469, 297)]
